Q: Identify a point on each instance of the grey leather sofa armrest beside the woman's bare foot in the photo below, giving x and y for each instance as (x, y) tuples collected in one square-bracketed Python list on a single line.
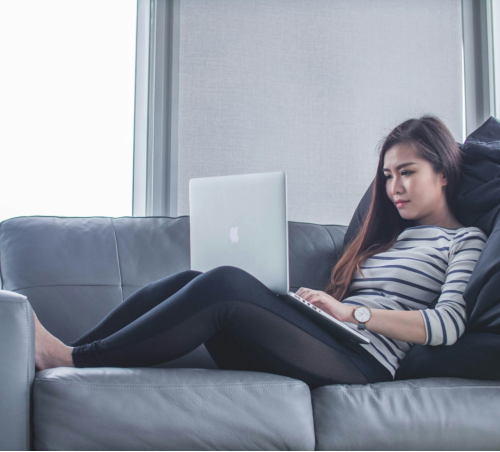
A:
[(17, 371)]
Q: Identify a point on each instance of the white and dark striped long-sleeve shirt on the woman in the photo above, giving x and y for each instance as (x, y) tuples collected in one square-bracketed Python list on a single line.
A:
[(425, 262)]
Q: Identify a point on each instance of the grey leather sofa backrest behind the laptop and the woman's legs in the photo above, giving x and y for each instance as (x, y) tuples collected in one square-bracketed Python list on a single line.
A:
[(74, 271)]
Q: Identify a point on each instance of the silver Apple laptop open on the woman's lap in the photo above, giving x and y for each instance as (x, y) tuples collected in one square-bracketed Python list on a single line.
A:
[(242, 221)]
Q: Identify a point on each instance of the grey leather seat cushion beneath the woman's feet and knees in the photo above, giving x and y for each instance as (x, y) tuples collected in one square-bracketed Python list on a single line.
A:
[(170, 409)]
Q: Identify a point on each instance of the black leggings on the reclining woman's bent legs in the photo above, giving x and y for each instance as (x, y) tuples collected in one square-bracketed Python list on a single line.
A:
[(243, 324)]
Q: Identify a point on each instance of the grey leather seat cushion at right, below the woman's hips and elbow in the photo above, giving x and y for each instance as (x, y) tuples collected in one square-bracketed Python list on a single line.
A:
[(423, 414)]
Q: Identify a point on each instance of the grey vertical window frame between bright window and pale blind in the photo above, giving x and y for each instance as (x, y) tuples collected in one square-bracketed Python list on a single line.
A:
[(155, 185)]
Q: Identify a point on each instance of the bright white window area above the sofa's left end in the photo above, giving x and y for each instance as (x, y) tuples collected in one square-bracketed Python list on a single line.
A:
[(67, 85)]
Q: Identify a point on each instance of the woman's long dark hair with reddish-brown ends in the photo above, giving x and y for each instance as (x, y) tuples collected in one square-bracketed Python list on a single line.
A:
[(432, 141)]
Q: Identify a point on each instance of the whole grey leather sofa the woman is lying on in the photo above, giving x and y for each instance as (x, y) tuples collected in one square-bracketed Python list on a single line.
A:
[(73, 271)]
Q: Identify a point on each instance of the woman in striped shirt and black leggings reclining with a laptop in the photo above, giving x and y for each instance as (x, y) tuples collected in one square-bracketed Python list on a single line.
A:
[(411, 253)]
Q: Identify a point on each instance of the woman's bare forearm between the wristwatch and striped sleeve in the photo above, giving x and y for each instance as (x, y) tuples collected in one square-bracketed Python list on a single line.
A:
[(405, 326)]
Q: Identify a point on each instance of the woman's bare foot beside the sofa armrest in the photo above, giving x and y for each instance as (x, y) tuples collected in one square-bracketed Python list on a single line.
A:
[(50, 352)]
